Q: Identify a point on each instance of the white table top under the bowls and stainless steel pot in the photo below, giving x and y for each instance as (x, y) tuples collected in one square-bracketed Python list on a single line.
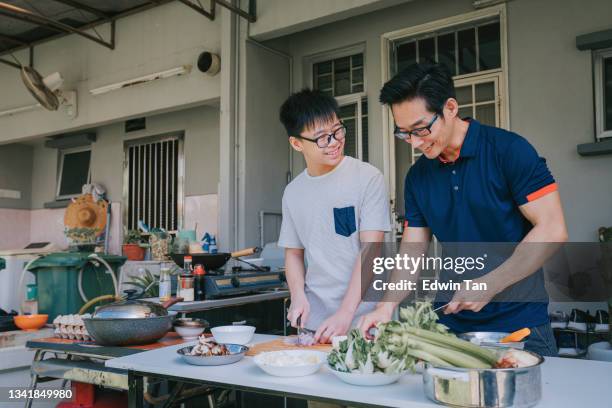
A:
[(565, 382)]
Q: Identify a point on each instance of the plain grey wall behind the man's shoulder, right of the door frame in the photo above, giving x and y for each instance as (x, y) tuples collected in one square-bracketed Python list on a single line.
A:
[(551, 102)]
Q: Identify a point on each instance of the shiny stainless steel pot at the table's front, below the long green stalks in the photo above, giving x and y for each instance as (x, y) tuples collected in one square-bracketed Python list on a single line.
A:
[(506, 387)]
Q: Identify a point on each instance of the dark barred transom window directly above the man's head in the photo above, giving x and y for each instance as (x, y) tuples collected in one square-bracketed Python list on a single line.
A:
[(463, 50)]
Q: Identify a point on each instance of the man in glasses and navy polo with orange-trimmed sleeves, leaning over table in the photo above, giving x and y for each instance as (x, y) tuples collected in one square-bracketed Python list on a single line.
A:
[(475, 183)]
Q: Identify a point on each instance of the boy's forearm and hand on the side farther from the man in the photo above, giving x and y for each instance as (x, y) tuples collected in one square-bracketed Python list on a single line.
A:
[(294, 273)]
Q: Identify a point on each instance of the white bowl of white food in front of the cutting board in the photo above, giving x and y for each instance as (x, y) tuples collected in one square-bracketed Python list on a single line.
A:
[(297, 368)]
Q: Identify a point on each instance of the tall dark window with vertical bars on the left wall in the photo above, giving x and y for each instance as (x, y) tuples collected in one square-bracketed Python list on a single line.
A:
[(153, 182)]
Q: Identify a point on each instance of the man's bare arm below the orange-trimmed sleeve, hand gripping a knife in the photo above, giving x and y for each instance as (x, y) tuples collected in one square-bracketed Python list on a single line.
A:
[(546, 215)]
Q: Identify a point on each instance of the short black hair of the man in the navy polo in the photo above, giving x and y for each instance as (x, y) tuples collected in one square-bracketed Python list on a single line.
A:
[(432, 82)]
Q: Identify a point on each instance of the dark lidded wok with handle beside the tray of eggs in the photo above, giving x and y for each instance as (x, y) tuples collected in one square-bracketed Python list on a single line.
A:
[(130, 322)]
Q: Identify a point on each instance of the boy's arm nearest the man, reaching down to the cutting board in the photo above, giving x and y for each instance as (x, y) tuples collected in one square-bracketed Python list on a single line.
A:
[(339, 323)]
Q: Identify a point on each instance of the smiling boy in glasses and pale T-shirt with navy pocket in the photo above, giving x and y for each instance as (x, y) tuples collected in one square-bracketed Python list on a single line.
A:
[(329, 209)]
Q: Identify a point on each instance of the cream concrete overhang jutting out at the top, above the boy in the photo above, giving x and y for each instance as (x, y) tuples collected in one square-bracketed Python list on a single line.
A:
[(283, 17)]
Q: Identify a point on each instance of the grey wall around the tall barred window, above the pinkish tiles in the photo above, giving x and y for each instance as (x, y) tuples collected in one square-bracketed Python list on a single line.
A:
[(201, 127)]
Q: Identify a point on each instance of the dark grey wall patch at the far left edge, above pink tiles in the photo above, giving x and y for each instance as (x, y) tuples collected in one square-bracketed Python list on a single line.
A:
[(15, 174)]
